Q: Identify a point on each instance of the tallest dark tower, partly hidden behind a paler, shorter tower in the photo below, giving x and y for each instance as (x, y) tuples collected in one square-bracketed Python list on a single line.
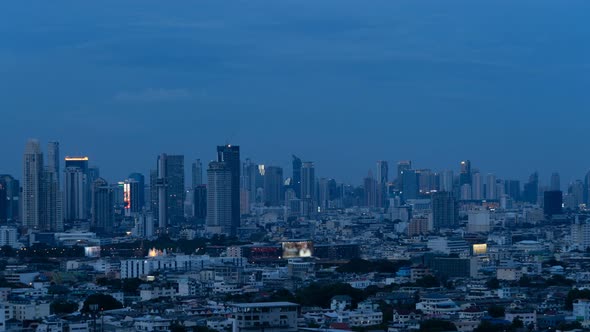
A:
[(230, 155)]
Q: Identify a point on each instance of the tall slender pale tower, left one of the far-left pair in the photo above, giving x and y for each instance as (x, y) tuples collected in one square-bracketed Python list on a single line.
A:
[(32, 177)]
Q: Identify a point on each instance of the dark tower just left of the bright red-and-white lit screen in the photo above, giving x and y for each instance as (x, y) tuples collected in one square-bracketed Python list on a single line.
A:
[(103, 205)]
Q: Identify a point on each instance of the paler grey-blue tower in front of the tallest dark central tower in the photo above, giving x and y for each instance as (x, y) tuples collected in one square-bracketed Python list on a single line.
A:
[(219, 199)]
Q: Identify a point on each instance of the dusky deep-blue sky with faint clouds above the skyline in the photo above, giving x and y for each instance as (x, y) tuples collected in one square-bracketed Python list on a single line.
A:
[(342, 83)]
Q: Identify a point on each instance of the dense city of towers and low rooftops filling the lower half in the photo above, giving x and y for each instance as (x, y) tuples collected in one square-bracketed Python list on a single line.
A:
[(467, 249)]
